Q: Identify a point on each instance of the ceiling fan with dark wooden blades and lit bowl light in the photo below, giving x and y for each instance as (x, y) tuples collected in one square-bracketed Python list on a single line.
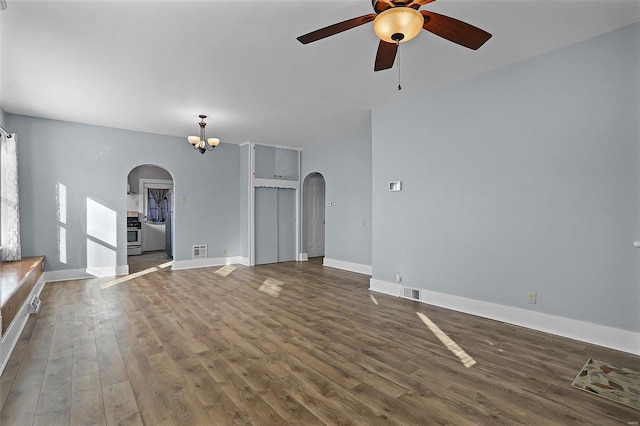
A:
[(396, 21)]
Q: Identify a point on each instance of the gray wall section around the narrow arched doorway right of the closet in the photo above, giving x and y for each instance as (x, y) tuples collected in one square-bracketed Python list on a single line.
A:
[(345, 165)]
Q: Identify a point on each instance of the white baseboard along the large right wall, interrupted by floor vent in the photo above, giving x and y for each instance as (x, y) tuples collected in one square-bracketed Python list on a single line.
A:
[(610, 337)]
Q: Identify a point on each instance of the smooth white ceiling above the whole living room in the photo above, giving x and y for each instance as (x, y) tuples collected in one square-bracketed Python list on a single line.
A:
[(153, 66)]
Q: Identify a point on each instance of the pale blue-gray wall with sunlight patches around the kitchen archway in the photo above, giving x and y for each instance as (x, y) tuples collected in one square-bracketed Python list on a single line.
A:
[(93, 163)]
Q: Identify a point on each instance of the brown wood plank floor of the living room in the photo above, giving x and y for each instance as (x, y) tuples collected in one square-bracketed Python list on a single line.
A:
[(290, 343)]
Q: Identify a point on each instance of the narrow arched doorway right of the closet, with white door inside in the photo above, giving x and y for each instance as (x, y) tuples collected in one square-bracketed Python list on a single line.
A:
[(314, 215)]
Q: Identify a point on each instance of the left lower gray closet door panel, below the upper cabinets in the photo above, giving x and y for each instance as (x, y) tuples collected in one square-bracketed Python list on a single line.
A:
[(266, 225)]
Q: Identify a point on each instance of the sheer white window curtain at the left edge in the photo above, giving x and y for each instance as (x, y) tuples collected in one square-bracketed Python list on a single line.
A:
[(10, 211)]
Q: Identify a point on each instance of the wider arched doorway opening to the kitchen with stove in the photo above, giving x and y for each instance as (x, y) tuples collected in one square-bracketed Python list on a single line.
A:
[(150, 211)]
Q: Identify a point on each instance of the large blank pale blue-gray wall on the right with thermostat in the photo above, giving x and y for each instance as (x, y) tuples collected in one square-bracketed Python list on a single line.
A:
[(523, 179)]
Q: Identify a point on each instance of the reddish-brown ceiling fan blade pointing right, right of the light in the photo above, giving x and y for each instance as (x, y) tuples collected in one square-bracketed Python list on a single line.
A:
[(453, 30)]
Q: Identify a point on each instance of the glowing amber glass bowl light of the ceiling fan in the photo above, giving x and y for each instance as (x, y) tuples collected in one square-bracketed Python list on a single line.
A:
[(398, 24)]
